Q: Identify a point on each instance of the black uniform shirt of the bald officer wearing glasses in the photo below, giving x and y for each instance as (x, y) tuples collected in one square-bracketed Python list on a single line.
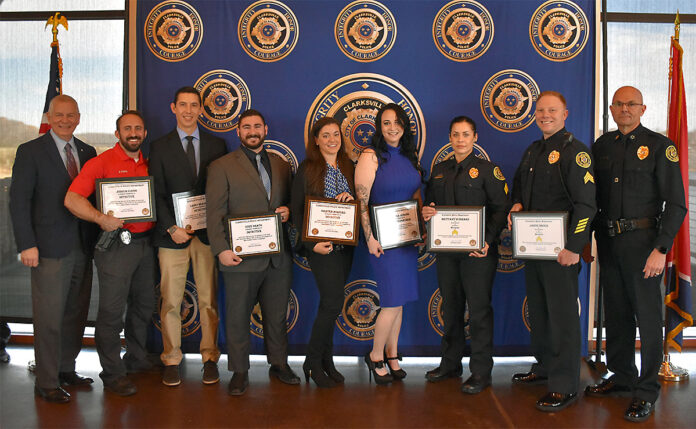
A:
[(637, 174)]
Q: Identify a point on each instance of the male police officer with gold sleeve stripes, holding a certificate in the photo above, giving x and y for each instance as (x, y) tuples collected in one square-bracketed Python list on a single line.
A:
[(555, 175)]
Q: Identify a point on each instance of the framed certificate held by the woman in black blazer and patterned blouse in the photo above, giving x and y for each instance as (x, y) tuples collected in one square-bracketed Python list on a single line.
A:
[(330, 220)]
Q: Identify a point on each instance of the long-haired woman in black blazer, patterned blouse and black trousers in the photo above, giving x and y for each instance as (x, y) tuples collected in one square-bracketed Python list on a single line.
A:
[(326, 172)]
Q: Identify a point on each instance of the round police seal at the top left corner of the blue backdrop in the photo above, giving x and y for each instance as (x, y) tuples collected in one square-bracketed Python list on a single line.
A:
[(173, 30)]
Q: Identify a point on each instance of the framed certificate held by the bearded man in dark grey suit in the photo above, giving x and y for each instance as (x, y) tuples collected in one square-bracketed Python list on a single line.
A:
[(256, 235)]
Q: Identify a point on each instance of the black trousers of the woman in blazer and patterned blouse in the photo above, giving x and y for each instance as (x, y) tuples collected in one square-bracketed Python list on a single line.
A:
[(331, 273)]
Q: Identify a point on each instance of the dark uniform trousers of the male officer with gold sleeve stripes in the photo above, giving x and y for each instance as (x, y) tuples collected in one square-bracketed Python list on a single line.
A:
[(552, 298)]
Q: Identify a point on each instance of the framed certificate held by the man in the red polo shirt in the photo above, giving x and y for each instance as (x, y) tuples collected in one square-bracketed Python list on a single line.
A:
[(131, 199)]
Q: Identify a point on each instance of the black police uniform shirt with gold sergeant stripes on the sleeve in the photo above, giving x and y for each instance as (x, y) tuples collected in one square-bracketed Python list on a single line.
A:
[(556, 174)]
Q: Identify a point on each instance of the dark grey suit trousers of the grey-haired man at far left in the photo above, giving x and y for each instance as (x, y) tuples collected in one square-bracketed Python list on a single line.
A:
[(60, 292)]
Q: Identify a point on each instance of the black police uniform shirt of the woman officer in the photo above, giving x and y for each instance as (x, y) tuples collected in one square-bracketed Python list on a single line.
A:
[(471, 182)]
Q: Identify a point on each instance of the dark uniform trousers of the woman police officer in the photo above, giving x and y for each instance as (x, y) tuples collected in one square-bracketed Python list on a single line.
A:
[(467, 280)]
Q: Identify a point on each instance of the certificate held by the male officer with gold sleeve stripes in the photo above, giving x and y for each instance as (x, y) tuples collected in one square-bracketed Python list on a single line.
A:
[(543, 251)]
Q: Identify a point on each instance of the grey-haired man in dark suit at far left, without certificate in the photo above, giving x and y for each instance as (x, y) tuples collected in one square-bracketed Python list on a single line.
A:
[(57, 246)]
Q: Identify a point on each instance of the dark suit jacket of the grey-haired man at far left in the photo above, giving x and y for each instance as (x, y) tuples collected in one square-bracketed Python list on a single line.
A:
[(40, 181)]
